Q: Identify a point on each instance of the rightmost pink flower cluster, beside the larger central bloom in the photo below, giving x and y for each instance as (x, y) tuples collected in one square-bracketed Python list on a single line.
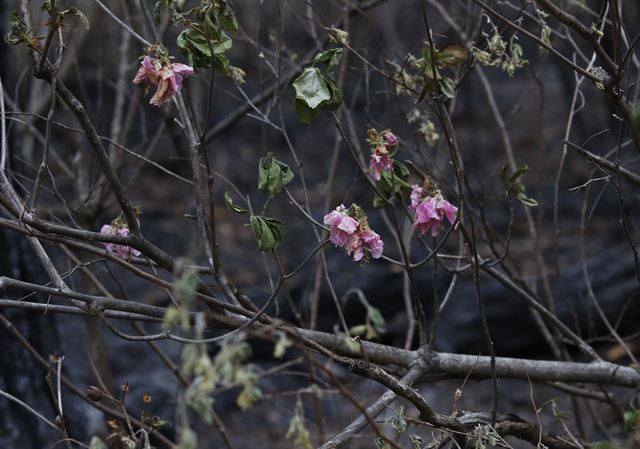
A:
[(430, 208)]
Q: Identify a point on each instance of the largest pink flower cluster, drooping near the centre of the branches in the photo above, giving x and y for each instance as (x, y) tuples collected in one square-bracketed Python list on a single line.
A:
[(350, 230)]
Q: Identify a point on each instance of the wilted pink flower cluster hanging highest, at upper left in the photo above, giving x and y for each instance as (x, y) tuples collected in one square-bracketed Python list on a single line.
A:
[(168, 77)]
